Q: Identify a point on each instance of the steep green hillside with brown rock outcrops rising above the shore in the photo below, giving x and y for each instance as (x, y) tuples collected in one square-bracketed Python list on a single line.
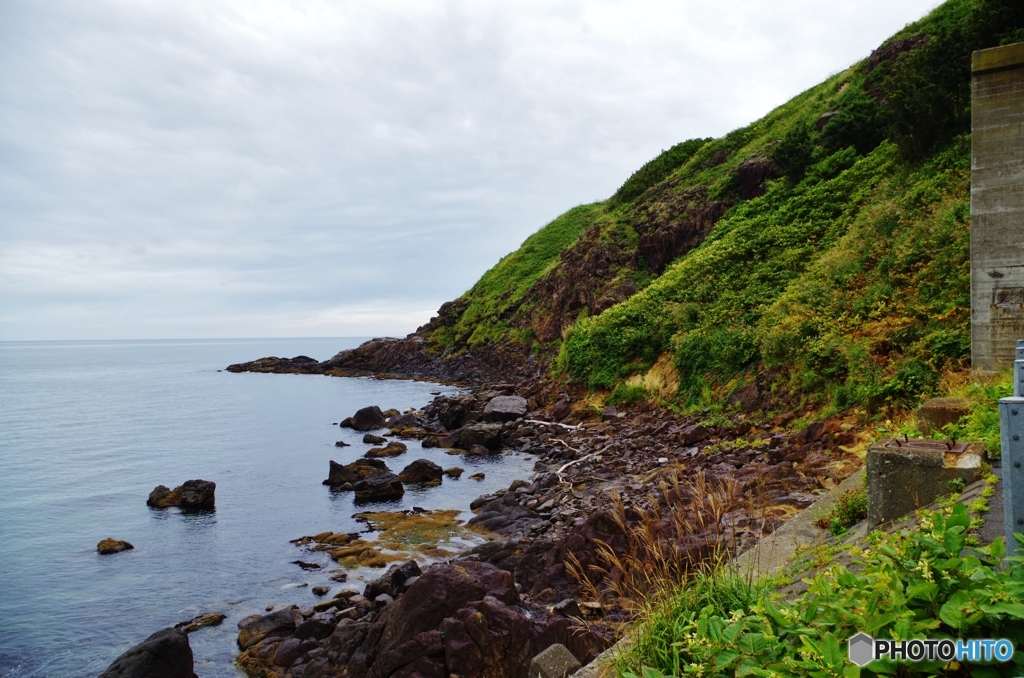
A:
[(820, 255)]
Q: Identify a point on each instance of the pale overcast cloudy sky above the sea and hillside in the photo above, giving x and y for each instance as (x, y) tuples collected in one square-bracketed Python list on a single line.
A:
[(242, 168)]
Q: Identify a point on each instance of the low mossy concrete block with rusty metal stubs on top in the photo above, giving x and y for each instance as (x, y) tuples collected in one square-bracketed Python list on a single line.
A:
[(905, 476)]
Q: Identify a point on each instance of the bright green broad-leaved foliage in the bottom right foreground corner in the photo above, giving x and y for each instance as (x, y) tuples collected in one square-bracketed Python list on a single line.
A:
[(914, 584)]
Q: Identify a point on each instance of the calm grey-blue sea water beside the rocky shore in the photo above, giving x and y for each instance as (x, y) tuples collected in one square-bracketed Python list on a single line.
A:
[(88, 430)]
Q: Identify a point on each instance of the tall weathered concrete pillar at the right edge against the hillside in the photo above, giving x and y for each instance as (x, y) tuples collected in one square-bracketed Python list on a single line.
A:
[(998, 206)]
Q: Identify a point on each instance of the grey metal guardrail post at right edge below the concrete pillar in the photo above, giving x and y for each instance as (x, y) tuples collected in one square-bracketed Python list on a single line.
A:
[(1012, 442)]
